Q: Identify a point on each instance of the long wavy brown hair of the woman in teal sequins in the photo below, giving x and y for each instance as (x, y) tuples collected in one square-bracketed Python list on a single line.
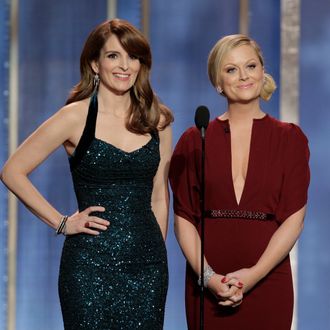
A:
[(146, 114)]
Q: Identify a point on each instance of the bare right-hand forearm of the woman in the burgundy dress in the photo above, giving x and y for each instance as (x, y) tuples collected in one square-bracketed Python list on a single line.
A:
[(278, 248)]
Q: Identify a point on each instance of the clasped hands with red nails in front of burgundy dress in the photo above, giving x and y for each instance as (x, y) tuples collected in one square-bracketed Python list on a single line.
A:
[(227, 290)]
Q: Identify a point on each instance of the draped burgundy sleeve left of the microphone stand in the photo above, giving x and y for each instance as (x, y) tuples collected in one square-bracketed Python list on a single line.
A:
[(184, 178)]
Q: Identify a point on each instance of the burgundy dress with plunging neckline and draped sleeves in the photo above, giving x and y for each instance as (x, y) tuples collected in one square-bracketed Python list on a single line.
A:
[(236, 235)]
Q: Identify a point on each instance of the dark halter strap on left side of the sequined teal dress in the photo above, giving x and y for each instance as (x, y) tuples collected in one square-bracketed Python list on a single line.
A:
[(88, 134)]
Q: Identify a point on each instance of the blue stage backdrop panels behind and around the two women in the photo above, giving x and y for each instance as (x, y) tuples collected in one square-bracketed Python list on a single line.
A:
[(50, 38)]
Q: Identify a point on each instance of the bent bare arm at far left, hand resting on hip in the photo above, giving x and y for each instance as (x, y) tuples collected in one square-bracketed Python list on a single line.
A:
[(33, 151)]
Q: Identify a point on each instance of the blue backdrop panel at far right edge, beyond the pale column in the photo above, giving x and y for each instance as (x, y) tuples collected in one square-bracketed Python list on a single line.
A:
[(314, 247)]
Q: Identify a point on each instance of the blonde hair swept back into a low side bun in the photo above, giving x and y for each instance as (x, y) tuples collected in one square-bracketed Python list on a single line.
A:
[(221, 48)]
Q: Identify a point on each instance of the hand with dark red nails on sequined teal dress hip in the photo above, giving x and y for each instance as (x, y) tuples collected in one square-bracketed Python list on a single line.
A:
[(82, 222)]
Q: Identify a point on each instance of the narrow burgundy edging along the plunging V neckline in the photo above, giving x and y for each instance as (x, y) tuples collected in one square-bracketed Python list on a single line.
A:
[(226, 124)]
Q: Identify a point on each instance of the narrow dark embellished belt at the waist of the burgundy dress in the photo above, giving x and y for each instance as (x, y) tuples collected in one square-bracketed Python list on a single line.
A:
[(239, 214)]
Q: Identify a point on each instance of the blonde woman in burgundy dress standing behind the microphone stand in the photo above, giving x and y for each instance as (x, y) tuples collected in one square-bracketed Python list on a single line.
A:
[(256, 181)]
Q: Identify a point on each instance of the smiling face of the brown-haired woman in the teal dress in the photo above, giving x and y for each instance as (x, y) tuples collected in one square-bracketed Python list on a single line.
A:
[(117, 69)]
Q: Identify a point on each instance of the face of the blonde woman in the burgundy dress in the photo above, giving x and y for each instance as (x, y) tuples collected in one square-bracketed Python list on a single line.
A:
[(241, 74)]
